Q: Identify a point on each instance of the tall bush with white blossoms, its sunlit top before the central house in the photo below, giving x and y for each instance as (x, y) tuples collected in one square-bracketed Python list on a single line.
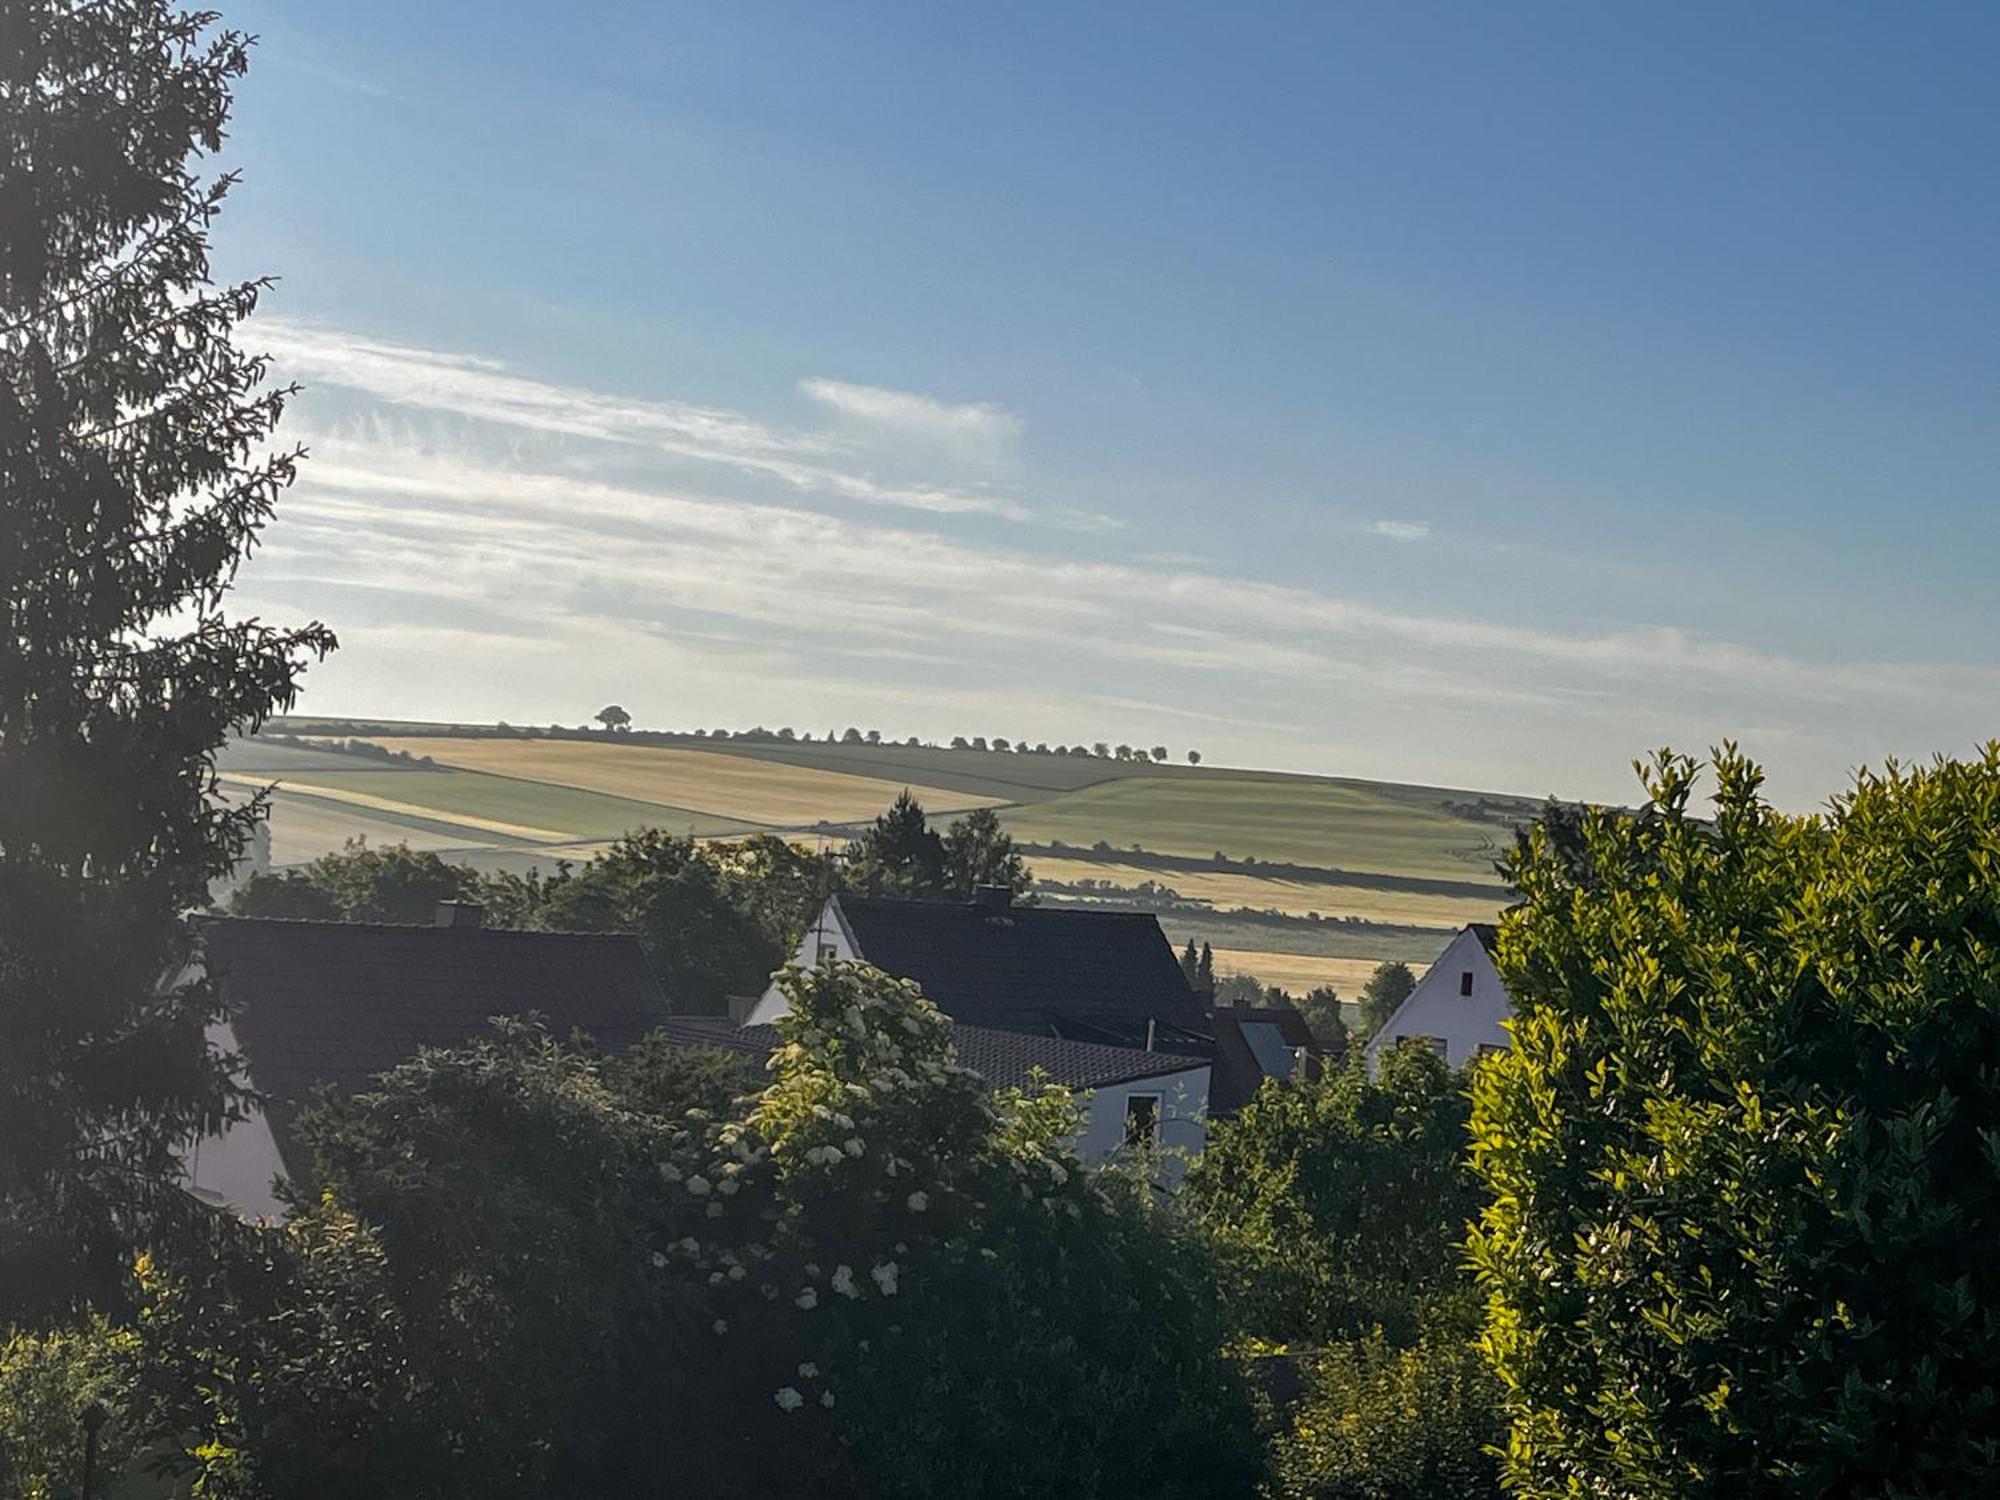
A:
[(991, 1317)]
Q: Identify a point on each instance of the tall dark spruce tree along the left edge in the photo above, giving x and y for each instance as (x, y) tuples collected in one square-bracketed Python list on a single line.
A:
[(133, 483)]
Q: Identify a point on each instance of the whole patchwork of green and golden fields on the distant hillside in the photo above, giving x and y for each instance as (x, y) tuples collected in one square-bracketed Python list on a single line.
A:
[(513, 803)]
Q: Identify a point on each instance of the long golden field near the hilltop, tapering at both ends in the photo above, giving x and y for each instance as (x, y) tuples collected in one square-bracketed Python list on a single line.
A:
[(703, 781)]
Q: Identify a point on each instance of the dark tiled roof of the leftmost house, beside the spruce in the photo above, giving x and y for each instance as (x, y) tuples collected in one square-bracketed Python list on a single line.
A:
[(339, 1003)]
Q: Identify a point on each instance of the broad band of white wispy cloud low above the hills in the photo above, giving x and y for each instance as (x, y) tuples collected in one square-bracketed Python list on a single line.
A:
[(433, 537)]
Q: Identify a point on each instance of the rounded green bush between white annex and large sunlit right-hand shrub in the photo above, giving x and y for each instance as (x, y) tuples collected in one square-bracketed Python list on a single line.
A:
[(1343, 1205)]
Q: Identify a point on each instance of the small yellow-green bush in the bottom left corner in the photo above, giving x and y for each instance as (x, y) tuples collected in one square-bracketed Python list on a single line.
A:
[(47, 1385)]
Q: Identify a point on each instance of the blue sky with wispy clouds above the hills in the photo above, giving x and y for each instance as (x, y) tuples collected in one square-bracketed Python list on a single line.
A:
[(1465, 395)]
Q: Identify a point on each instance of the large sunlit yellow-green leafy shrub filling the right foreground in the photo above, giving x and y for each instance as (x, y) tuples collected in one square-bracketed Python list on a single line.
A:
[(1743, 1153)]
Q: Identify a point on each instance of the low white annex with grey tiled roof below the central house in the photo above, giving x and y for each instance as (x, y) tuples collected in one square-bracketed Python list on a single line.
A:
[(1137, 1097)]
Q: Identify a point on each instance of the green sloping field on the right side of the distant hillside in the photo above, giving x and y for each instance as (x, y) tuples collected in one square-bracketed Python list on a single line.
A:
[(1299, 821)]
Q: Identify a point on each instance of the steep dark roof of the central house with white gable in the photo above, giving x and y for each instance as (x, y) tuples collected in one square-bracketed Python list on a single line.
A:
[(1083, 975)]
